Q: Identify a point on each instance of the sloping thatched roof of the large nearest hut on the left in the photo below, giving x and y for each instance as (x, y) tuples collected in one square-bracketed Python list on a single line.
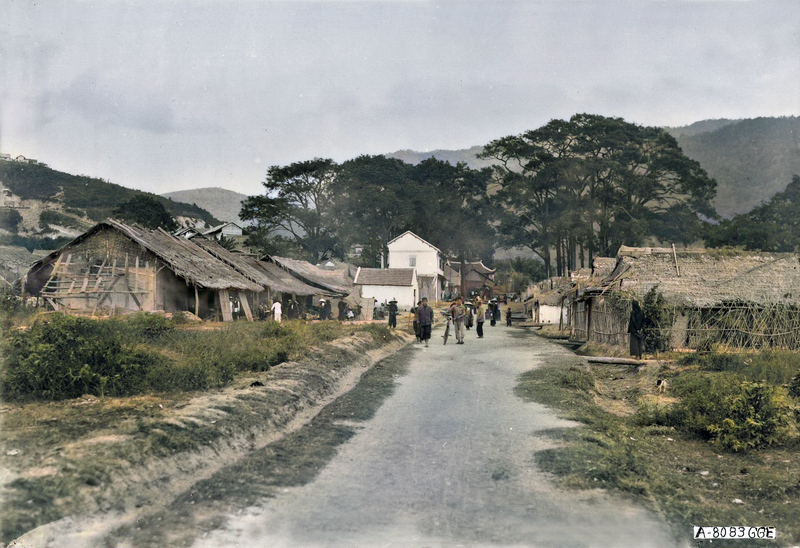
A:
[(186, 259)]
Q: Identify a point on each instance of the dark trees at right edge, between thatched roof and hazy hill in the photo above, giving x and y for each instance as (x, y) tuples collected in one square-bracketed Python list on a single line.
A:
[(773, 226)]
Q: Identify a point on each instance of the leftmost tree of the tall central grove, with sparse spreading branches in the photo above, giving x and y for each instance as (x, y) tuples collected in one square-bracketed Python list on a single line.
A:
[(299, 202)]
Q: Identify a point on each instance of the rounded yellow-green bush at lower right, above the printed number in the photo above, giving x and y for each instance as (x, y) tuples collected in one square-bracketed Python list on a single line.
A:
[(734, 414)]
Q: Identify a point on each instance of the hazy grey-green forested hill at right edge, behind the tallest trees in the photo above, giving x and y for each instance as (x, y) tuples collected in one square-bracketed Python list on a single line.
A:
[(751, 160)]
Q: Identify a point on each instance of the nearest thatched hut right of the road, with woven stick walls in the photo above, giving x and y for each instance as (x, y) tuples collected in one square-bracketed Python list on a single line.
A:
[(737, 298)]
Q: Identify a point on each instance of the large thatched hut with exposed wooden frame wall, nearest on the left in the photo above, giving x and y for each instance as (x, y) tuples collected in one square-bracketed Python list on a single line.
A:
[(114, 266)]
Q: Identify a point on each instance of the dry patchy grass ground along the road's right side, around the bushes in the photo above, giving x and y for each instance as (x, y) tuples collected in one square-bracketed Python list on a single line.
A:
[(684, 478)]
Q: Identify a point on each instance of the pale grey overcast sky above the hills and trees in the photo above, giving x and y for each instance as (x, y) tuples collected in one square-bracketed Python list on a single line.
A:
[(173, 95)]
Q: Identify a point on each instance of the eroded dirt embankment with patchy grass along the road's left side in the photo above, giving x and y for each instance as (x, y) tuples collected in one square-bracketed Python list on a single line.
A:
[(109, 461)]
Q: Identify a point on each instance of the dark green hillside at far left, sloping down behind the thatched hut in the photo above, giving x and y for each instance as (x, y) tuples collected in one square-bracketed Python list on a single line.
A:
[(93, 198)]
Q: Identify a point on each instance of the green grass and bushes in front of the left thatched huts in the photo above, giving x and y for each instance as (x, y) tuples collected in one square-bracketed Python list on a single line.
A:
[(62, 356)]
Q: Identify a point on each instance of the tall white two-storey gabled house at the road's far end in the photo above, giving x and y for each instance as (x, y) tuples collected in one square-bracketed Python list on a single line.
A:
[(410, 251)]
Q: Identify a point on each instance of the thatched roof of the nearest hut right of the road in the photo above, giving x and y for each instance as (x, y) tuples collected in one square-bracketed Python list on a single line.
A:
[(706, 278)]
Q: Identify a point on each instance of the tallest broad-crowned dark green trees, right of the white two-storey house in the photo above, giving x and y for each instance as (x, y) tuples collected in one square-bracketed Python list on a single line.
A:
[(585, 186)]
